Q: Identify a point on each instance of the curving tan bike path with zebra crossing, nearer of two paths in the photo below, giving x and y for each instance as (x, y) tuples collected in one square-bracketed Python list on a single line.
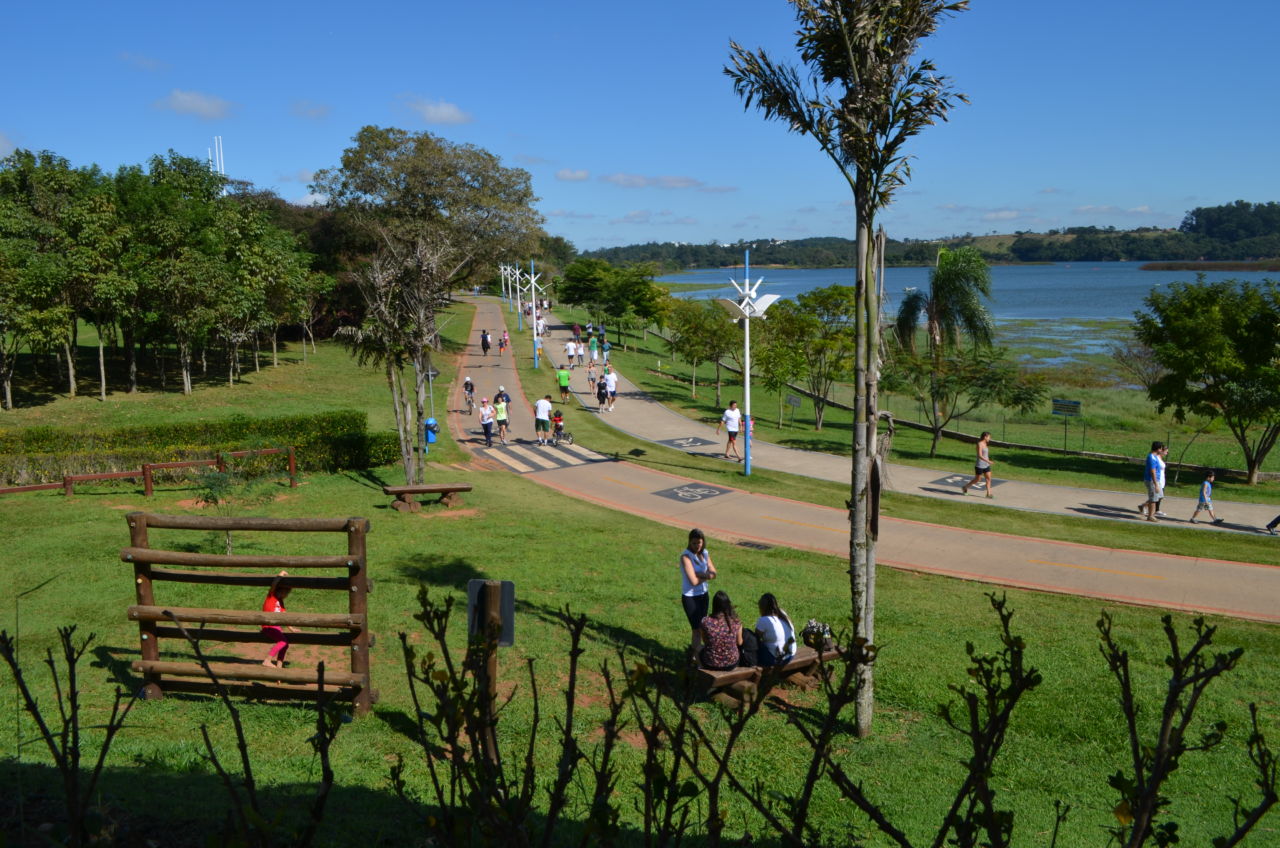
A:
[(1199, 585)]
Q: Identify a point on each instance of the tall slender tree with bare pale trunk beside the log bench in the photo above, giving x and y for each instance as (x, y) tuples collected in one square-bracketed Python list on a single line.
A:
[(863, 98)]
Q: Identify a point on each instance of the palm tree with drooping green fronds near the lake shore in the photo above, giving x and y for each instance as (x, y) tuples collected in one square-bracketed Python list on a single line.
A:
[(952, 312)]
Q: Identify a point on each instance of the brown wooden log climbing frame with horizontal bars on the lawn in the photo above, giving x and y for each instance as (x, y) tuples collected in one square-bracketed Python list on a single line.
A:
[(348, 630)]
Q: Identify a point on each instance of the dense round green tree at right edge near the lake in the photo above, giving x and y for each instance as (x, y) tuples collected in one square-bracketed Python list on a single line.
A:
[(1220, 348)]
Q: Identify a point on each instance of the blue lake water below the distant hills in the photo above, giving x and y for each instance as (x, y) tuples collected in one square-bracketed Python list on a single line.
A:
[(1077, 291)]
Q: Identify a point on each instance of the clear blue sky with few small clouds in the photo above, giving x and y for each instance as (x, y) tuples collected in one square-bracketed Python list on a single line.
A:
[(1095, 112)]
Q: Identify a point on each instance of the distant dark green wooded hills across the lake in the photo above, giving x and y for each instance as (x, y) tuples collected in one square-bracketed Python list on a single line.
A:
[(1236, 232)]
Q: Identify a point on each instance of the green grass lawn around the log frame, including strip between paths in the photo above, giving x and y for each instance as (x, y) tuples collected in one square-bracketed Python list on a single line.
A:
[(621, 572)]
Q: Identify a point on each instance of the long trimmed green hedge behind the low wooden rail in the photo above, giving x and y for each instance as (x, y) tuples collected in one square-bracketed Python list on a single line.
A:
[(327, 443)]
